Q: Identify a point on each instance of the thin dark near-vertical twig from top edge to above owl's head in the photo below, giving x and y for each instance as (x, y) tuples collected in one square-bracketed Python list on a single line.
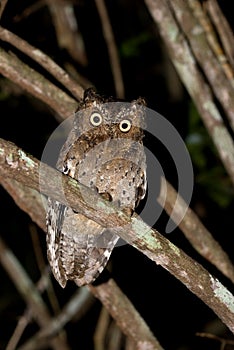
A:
[(112, 49)]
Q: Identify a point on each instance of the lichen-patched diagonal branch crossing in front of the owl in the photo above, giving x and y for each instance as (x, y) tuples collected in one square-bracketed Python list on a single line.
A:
[(16, 164)]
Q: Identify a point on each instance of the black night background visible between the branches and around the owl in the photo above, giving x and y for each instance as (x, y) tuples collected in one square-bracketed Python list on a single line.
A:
[(173, 313)]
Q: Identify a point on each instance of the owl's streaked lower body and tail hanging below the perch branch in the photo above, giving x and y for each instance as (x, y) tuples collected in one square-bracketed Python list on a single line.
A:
[(78, 249)]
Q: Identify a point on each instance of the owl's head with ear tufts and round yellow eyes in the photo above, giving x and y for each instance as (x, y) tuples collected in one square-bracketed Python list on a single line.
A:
[(109, 118)]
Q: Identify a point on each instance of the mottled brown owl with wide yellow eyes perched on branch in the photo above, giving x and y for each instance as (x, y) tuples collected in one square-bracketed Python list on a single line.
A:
[(103, 151)]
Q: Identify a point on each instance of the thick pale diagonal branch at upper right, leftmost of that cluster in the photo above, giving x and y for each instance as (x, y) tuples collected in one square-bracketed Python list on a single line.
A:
[(186, 66)]
